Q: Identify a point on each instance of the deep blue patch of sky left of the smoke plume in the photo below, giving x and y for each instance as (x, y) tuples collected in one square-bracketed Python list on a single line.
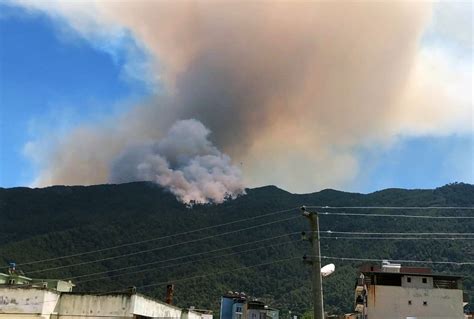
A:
[(49, 80)]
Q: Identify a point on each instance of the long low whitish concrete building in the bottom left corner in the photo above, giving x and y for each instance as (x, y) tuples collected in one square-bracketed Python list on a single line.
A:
[(23, 297)]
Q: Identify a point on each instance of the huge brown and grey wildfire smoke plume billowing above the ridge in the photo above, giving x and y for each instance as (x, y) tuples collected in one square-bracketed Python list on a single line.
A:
[(288, 89)]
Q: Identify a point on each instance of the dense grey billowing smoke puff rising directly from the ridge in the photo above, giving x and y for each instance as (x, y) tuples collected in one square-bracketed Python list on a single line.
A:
[(183, 161)]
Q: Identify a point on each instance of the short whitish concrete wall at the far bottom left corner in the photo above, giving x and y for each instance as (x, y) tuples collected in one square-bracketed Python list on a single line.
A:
[(27, 303)]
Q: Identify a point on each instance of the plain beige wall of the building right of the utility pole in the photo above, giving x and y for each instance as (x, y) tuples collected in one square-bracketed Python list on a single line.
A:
[(392, 302)]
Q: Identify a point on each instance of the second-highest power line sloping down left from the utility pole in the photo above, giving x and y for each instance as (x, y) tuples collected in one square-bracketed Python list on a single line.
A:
[(162, 247)]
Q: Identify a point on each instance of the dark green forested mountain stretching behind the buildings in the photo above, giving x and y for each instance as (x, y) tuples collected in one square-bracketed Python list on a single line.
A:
[(39, 224)]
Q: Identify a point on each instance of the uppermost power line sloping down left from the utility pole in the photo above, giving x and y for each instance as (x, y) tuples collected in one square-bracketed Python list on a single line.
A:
[(156, 238)]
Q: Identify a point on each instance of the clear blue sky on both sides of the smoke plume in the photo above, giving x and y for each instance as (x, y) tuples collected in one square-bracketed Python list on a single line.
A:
[(52, 81)]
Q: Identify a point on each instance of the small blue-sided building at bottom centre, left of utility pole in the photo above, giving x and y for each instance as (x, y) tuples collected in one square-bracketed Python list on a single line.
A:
[(236, 305)]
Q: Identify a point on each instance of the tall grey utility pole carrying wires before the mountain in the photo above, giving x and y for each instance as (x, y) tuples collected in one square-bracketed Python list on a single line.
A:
[(318, 307)]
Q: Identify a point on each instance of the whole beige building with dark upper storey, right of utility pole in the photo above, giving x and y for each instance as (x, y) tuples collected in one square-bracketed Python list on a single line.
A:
[(393, 292)]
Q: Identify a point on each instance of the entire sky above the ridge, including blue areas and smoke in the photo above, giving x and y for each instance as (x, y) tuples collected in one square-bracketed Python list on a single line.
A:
[(85, 88)]
